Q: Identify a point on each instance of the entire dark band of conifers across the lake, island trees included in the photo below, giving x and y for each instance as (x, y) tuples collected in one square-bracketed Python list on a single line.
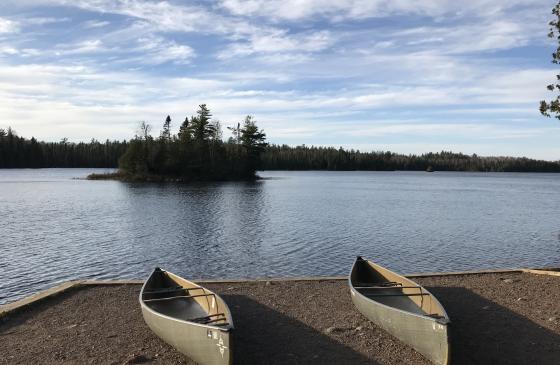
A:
[(166, 155)]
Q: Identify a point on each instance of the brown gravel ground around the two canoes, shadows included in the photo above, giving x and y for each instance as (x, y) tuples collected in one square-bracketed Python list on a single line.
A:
[(496, 319)]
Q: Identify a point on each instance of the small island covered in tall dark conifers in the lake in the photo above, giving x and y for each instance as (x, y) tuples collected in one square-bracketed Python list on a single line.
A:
[(196, 153)]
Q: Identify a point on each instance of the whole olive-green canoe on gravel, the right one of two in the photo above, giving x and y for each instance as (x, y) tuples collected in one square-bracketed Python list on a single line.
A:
[(402, 307)]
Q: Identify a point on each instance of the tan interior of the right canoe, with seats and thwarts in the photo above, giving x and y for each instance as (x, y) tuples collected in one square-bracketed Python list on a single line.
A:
[(386, 287)]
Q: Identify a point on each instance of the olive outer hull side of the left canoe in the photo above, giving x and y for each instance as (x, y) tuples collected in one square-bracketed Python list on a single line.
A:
[(202, 344)]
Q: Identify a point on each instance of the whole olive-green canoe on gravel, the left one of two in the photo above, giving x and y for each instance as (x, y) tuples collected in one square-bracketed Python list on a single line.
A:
[(192, 319)]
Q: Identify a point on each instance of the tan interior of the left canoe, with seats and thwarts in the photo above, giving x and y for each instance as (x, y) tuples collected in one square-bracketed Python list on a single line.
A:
[(178, 298)]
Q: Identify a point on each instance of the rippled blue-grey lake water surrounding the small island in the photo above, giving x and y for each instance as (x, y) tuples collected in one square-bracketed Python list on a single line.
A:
[(55, 228)]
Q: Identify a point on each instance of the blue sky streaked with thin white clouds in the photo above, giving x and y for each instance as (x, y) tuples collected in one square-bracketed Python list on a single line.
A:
[(405, 76)]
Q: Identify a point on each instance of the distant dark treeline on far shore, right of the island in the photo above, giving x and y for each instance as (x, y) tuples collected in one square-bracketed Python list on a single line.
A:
[(328, 158)]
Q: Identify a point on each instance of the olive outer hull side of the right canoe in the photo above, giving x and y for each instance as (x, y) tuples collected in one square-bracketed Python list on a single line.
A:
[(428, 337)]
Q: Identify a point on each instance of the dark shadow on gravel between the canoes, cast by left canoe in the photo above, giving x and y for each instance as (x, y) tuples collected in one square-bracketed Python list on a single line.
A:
[(265, 336)]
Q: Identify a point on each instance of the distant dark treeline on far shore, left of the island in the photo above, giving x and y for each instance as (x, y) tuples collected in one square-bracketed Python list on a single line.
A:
[(19, 152)]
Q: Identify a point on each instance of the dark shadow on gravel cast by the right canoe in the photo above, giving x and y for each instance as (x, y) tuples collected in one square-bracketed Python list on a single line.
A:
[(484, 332)]
